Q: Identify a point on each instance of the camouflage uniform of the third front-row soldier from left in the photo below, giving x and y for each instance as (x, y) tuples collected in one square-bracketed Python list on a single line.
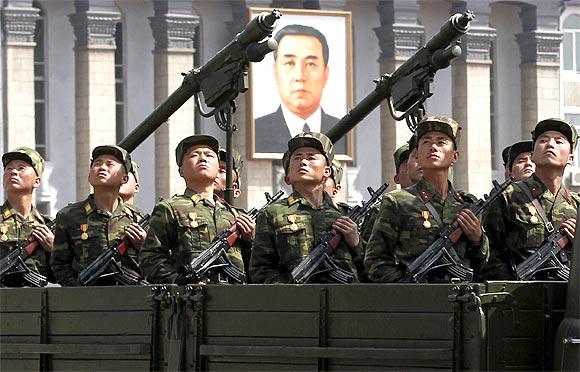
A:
[(180, 229)]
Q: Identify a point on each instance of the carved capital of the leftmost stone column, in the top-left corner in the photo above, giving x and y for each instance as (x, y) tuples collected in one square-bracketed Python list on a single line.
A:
[(19, 22)]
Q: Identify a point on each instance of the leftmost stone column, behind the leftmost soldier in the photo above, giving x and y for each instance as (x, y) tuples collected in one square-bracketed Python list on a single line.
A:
[(18, 26)]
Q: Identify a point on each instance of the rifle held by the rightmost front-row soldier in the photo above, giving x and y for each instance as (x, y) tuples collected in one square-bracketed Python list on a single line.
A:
[(546, 258)]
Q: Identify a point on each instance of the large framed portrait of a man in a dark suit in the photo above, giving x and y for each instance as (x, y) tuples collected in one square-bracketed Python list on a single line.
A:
[(305, 85)]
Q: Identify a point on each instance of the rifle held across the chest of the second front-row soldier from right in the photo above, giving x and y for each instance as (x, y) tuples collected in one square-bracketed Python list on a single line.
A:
[(441, 254)]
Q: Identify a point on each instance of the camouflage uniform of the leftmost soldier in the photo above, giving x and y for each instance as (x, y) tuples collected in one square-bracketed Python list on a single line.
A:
[(15, 229)]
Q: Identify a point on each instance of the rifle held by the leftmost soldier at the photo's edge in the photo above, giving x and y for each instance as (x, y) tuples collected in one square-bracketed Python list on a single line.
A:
[(13, 263)]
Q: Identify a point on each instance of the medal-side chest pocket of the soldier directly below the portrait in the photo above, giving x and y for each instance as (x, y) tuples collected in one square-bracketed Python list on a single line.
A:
[(292, 242)]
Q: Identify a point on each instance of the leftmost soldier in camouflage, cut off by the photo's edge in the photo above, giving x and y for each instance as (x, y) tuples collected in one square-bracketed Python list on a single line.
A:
[(19, 219)]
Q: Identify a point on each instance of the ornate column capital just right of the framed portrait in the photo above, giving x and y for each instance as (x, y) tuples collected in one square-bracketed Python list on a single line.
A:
[(399, 34)]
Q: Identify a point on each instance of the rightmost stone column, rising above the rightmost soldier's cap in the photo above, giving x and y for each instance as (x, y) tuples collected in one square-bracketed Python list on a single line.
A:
[(540, 68)]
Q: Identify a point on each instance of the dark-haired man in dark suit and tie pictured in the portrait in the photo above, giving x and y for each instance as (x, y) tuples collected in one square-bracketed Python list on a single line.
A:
[(300, 71)]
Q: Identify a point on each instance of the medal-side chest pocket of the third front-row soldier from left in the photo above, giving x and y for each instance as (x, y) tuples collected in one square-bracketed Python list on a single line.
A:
[(192, 237)]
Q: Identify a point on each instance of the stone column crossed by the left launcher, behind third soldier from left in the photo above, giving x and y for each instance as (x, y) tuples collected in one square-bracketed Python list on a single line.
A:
[(174, 29)]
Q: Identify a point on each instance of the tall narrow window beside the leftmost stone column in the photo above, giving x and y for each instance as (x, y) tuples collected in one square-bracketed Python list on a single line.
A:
[(40, 86)]
